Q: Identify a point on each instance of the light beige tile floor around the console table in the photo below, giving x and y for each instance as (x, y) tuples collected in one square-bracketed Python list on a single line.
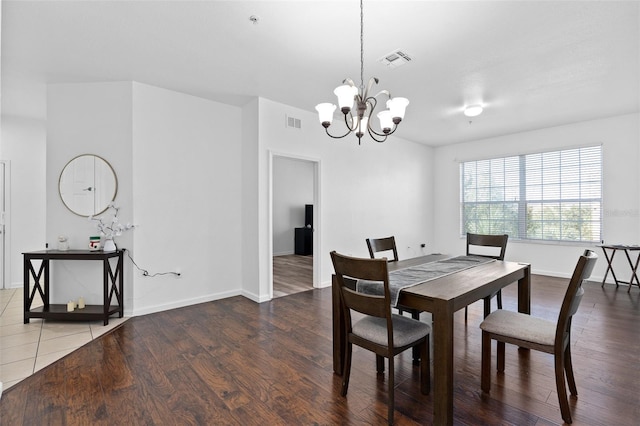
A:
[(27, 348)]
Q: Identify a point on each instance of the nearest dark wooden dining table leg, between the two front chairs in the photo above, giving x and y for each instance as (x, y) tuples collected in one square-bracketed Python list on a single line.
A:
[(443, 362)]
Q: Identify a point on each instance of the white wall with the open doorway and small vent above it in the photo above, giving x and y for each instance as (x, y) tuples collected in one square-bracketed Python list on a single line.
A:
[(365, 191)]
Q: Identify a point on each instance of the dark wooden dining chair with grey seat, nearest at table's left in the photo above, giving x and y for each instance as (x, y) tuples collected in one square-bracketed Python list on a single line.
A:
[(379, 331)]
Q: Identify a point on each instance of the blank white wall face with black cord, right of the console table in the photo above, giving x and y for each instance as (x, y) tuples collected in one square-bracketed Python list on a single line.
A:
[(187, 198)]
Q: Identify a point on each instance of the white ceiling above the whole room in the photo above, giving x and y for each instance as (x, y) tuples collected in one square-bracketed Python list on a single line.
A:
[(533, 64)]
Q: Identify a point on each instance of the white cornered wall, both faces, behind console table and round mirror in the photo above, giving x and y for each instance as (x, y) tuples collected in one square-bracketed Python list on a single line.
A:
[(185, 194)]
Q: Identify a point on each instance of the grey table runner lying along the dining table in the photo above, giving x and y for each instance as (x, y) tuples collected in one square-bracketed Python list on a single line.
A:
[(414, 275)]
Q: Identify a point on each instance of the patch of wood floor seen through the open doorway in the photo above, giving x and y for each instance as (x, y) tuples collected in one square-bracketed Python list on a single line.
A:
[(292, 274)]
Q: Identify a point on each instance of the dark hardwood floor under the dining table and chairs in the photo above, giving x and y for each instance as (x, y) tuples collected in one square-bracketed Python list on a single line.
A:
[(235, 362)]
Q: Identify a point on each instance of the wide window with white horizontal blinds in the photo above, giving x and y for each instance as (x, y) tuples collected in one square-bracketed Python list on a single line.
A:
[(547, 196)]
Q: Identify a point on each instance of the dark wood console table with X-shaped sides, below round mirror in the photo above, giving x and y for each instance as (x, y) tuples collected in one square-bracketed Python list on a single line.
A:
[(112, 286)]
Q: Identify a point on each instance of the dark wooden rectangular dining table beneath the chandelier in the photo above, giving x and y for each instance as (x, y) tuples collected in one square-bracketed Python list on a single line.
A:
[(442, 297)]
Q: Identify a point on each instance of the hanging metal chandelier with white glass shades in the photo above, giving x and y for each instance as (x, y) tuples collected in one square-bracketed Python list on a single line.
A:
[(358, 121)]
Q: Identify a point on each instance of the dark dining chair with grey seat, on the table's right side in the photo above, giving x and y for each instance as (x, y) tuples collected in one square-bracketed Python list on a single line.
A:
[(539, 334)]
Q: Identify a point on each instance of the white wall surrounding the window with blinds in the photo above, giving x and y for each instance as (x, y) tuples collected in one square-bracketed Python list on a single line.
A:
[(620, 138)]
